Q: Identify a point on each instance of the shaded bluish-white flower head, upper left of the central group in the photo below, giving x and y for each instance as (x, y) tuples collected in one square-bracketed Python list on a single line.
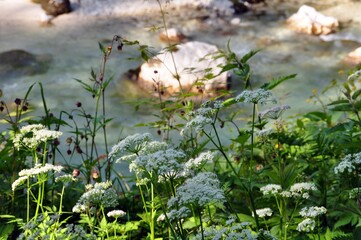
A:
[(130, 144)]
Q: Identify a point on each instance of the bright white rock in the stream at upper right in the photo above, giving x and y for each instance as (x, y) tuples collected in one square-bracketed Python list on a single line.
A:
[(310, 21)]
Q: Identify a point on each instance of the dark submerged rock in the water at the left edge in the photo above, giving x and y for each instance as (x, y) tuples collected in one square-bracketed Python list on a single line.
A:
[(17, 63)]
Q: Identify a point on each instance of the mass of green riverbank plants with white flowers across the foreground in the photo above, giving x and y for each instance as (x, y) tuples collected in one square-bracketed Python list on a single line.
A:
[(209, 175)]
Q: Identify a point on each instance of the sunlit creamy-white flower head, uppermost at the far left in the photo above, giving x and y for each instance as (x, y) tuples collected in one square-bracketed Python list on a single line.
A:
[(31, 136)]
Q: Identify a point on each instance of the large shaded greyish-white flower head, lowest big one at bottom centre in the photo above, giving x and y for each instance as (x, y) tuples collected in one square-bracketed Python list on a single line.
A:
[(199, 191)]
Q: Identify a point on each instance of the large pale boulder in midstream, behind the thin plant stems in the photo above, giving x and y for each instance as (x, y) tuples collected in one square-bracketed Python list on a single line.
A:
[(191, 59)]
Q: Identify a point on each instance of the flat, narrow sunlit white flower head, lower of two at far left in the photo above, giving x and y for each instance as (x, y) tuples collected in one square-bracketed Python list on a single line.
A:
[(25, 174)]
